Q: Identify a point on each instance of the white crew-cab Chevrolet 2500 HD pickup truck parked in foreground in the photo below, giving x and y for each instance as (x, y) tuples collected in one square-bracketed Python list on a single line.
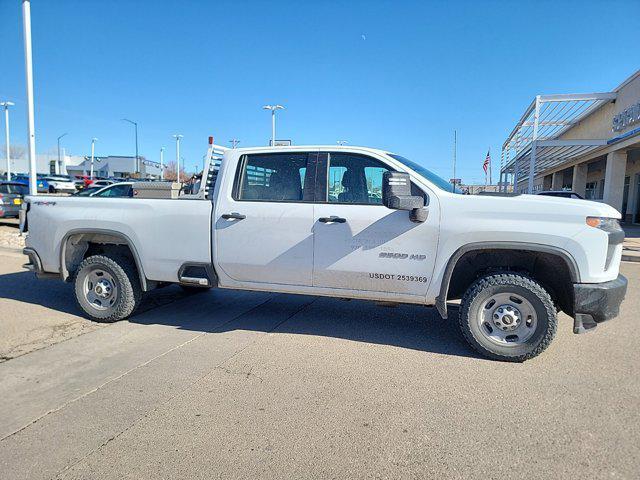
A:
[(345, 222)]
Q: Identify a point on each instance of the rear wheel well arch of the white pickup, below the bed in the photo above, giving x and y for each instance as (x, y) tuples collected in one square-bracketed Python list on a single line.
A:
[(79, 246)]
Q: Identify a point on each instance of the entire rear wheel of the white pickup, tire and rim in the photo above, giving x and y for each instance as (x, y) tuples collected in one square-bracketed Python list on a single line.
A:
[(107, 288)]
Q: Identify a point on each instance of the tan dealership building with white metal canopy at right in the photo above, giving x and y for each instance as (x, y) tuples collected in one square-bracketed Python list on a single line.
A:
[(588, 143)]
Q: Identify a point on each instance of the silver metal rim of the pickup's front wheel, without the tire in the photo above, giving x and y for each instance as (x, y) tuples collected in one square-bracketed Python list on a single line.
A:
[(507, 319)]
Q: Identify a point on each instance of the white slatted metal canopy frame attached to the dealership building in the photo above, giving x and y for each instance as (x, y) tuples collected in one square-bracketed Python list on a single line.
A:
[(533, 145)]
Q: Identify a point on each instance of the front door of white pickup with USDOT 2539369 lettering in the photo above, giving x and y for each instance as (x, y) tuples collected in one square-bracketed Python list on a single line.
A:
[(362, 245)]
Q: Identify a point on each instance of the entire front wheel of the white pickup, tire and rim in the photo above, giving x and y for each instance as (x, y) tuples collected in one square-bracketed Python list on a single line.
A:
[(508, 317)]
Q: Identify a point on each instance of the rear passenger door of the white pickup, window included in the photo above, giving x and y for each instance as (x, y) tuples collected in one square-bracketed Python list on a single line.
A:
[(264, 226)]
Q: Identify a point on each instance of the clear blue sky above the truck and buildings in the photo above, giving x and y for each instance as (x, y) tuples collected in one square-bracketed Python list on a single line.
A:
[(394, 75)]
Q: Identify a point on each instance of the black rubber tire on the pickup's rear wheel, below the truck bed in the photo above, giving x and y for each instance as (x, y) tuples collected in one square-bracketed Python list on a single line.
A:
[(127, 290)]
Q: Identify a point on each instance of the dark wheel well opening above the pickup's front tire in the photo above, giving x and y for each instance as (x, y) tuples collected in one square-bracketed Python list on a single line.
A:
[(550, 270)]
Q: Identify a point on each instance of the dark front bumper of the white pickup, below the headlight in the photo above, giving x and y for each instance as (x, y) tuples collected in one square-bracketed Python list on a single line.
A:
[(596, 302)]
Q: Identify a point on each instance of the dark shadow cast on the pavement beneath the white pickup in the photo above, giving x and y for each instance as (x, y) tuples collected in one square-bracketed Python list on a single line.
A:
[(405, 326)]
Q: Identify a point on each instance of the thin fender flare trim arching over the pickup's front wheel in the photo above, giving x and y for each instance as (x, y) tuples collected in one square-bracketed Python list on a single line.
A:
[(441, 299)]
